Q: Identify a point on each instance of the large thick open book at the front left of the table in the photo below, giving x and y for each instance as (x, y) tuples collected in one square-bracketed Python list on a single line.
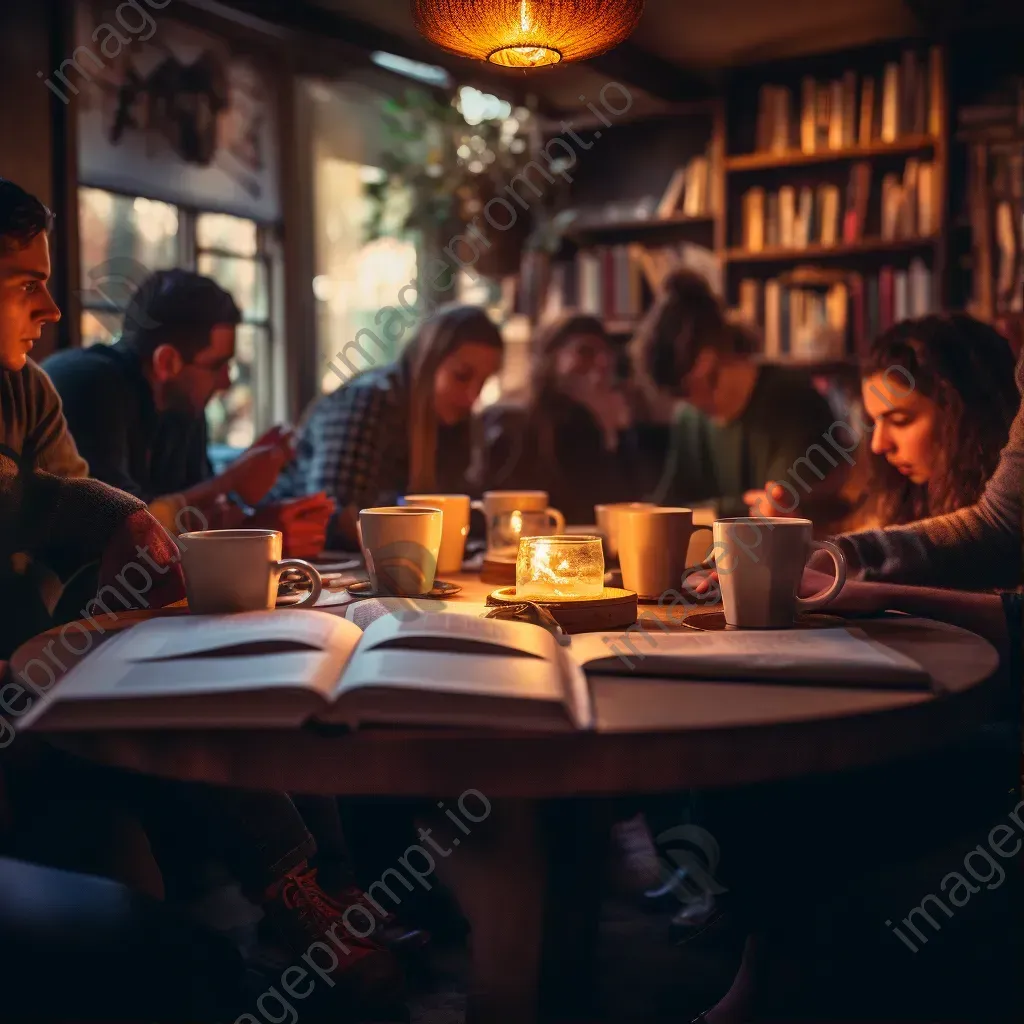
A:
[(282, 669)]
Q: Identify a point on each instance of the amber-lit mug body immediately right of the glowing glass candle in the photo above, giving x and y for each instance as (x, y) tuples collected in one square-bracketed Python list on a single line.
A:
[(654, 545)]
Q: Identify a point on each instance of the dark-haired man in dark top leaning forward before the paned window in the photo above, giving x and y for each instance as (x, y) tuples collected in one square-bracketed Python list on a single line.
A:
[(136, 410)]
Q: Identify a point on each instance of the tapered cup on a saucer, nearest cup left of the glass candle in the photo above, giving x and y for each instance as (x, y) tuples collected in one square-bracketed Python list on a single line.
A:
[(401, 546)]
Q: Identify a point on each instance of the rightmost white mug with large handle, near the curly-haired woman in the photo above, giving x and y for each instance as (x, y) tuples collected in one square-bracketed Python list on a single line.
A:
[(761, 563)]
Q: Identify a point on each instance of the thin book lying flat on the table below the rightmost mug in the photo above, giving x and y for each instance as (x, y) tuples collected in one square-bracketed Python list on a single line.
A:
[(827, 656)]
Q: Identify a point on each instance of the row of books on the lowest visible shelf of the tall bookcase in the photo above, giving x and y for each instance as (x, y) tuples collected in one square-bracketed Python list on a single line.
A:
[(815, 315)]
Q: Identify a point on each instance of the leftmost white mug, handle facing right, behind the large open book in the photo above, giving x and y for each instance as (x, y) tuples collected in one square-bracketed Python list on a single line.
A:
[(230, 571)]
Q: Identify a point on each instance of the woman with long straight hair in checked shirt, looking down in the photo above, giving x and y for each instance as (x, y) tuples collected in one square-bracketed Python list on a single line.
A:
[(401, 429)]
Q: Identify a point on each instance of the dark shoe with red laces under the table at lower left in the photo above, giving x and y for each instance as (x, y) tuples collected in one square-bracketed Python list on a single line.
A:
[(304, 921)]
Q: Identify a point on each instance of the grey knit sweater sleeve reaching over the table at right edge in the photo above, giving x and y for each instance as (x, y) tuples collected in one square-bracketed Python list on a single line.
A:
[(974, 548)]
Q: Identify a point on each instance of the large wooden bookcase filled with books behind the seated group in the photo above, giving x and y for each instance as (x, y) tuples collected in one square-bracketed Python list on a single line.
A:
[(842, 160)]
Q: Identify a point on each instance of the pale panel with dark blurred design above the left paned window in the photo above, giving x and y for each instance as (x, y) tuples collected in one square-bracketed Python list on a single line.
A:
[(167, 111)]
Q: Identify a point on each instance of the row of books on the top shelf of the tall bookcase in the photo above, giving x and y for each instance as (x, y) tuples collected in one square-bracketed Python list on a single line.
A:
[(849, 111)]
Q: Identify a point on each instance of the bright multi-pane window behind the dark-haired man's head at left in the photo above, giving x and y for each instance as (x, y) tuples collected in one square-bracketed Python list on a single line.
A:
[(125, 238)]
